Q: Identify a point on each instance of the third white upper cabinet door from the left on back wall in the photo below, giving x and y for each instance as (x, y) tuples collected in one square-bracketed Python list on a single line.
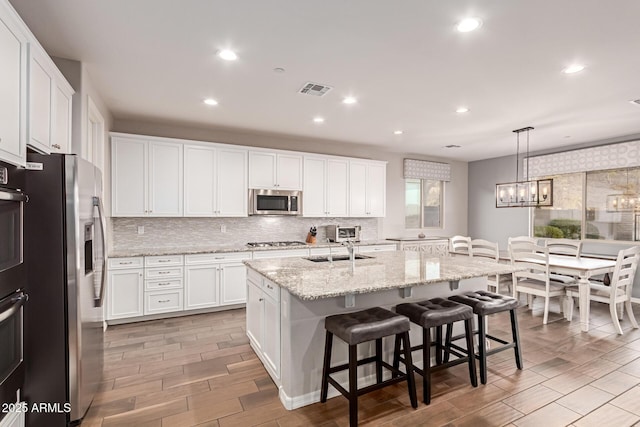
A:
[(199, 181)]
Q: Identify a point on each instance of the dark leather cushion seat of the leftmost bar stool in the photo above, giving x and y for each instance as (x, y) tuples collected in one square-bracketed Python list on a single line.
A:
[(366, 325)]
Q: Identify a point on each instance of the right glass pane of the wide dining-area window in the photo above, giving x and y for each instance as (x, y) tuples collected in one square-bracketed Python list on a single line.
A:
[(612, 198)]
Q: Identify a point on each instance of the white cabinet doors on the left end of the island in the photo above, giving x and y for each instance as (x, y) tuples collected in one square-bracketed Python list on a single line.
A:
[(263, 321)]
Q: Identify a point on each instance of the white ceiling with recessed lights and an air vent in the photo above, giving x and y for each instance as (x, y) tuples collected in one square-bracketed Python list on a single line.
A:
[(404, 61)]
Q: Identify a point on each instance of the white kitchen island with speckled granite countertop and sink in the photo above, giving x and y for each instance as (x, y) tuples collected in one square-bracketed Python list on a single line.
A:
[(288, 300)]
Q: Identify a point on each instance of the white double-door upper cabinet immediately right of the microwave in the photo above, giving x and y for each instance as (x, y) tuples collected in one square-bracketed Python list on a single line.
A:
[(326, 185)]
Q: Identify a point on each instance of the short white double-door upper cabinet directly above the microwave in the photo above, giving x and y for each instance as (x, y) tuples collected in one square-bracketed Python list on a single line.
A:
[(271, 170)]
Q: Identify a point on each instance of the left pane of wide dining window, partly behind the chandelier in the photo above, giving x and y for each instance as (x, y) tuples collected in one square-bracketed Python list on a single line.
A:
[(564, 218)]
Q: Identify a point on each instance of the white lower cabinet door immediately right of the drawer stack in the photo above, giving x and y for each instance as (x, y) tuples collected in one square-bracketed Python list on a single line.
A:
[(201, 286)]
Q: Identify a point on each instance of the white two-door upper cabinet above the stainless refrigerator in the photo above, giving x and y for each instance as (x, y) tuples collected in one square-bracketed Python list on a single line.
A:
[(49, 105)]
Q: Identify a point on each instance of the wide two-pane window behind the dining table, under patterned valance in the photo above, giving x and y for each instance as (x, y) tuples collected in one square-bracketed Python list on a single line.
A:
[(600, 205)]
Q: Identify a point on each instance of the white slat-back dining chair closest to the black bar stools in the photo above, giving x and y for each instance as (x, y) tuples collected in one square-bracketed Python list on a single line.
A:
[(534, 279)]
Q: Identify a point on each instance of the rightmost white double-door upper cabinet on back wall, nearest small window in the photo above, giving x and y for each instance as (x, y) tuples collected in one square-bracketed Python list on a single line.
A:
[(367, 189)]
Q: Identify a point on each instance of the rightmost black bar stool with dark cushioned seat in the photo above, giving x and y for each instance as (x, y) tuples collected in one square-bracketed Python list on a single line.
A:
[(484, 303)]
